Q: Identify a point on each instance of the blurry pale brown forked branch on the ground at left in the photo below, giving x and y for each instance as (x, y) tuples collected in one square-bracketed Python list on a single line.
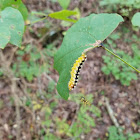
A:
[(10, 76)]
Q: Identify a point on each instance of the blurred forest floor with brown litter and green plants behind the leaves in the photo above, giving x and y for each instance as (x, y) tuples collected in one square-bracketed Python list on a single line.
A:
[(38, 112)]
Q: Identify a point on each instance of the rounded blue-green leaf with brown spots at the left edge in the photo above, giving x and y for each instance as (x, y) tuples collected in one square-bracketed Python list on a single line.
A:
[(11, 27)]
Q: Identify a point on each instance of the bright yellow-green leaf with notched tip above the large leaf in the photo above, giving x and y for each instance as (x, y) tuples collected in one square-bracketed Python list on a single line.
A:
[(64, 15)]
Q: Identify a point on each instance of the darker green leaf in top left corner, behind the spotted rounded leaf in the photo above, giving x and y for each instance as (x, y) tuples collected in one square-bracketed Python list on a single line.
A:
[(17, 4)]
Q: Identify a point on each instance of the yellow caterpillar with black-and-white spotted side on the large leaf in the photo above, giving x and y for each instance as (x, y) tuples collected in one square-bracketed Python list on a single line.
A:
[(75, 71)]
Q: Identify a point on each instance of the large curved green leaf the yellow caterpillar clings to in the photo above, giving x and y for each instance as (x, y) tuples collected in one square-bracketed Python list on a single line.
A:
[(78, 38)]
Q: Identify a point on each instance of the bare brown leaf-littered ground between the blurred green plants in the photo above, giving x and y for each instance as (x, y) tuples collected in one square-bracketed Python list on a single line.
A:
[(124, 100)]
